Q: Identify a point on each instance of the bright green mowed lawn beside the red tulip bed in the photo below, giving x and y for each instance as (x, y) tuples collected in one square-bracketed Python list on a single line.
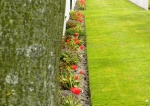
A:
[(118, 48)]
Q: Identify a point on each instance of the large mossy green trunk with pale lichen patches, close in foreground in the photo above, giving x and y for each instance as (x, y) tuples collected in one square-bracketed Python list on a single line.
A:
[(30, 43)]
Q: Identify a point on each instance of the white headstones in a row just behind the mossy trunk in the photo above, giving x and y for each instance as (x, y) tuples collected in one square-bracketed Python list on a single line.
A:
[(70, 4)]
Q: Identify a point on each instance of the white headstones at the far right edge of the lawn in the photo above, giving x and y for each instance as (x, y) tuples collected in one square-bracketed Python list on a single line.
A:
[(141, 3)]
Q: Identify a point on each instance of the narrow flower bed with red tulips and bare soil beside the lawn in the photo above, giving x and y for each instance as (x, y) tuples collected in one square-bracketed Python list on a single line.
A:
[(73, 73)]
